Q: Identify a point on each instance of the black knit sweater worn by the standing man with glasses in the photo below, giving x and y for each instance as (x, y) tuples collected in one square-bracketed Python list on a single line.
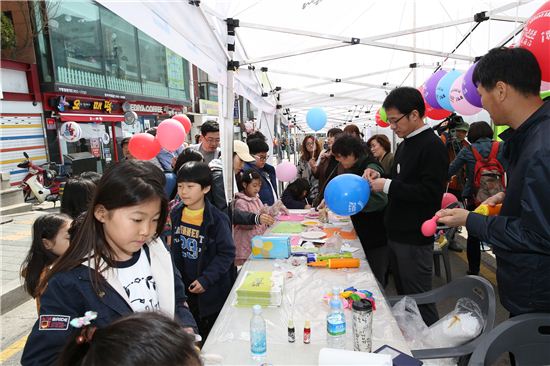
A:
[(419, 176)]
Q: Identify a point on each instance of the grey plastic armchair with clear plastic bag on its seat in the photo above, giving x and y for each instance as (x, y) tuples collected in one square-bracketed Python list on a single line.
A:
[(475, 288)]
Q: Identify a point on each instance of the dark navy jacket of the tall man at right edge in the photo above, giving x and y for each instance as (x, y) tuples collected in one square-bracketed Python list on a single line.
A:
[(521, 234)]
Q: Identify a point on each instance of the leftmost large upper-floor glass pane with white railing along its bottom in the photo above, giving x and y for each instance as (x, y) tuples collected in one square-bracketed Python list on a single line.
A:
[(76, 42)]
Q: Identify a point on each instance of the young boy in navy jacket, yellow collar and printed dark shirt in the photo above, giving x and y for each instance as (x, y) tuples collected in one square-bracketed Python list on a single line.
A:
[(202, 246)]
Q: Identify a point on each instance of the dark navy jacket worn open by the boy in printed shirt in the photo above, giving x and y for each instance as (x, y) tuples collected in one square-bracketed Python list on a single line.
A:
[(214, 266)]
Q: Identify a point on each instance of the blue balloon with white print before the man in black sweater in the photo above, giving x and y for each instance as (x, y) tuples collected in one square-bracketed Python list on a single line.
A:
[(347, 194)]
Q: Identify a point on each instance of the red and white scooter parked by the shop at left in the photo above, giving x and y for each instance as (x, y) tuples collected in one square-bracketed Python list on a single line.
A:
[(40, 183)]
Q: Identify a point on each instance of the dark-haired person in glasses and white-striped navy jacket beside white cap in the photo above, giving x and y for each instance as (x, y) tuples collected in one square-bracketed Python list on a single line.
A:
[(260, 151)]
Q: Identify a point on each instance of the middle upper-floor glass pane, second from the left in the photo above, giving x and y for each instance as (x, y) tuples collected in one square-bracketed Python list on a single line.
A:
[(119, 47)]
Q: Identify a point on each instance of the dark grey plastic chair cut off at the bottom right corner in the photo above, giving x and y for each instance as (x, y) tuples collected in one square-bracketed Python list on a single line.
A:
[(527, 336)]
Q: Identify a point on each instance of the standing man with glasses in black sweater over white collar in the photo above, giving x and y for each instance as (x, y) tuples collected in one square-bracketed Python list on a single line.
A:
[(415, 187)]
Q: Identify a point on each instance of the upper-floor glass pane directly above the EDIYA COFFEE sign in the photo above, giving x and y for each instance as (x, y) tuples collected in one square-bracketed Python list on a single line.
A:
[(153, 66)]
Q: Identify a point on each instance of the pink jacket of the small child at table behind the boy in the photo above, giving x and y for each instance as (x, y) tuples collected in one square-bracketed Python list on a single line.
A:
[(242, 234)]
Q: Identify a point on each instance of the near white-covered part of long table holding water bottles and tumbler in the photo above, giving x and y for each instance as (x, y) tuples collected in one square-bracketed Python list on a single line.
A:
[(302, 300)]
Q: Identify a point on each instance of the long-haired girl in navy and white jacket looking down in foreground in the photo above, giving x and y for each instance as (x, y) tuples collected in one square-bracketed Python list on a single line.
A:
[(115, 265)]
